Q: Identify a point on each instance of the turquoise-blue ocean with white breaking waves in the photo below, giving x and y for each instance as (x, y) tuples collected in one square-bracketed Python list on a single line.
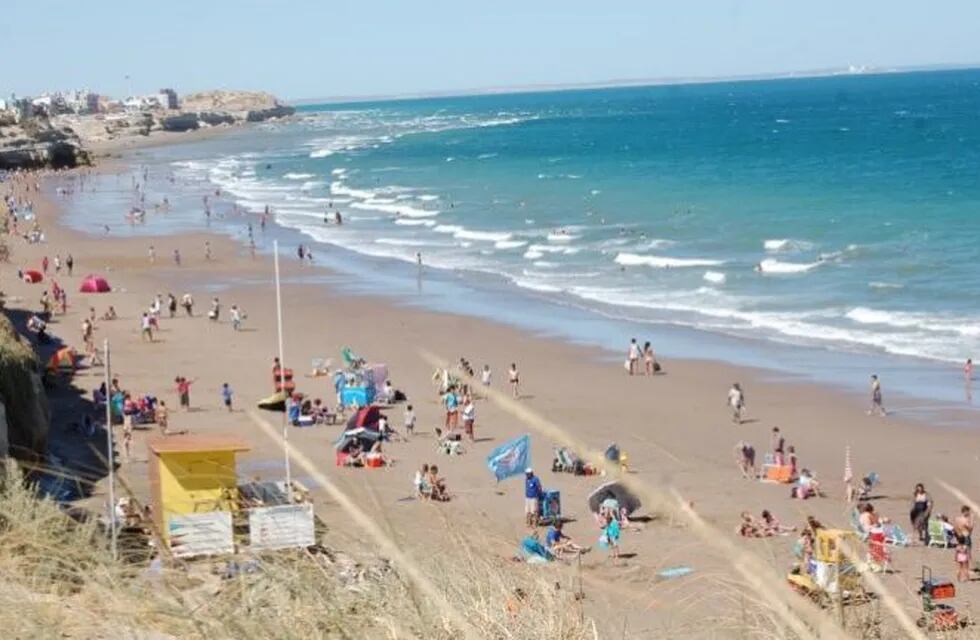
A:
[(838, 214)]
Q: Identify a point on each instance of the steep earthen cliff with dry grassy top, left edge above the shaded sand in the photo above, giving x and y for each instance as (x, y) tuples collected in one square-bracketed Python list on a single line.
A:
[(24, 413)]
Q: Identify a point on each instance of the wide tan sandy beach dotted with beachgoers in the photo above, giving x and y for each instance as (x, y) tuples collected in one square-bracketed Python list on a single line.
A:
[(676, 427)]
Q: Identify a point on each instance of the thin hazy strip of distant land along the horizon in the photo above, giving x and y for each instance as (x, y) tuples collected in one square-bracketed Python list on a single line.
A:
[(852, 70)]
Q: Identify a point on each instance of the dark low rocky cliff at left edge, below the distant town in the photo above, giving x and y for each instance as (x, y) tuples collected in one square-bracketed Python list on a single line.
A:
[(36, 144)]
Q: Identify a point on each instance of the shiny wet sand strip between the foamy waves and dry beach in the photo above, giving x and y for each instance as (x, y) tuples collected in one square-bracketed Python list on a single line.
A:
[(919, 389)]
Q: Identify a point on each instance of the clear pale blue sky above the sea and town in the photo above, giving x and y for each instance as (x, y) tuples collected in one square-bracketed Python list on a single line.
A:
[(308, 48)]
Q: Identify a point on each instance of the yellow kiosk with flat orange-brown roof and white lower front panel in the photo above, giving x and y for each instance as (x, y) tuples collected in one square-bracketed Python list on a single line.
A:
[(194, 492)]
